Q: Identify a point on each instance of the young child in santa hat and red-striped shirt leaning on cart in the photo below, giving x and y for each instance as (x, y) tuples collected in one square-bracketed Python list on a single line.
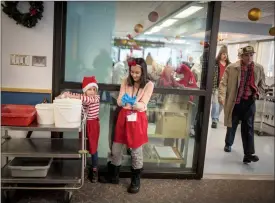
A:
[(90, 101)]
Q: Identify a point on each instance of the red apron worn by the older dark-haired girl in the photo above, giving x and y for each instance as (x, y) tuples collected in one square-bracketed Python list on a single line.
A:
[(133, 134)]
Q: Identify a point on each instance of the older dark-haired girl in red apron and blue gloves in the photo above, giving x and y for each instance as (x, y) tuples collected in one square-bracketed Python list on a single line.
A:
[(131, 127)]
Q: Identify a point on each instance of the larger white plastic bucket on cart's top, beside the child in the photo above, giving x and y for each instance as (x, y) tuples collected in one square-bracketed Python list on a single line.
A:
[(67, 113)]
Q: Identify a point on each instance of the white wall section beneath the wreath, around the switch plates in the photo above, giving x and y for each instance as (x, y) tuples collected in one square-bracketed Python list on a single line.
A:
[(38, 40)]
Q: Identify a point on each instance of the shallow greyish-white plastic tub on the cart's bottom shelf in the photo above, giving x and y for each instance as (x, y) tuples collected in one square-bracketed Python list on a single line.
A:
[(30, 167)]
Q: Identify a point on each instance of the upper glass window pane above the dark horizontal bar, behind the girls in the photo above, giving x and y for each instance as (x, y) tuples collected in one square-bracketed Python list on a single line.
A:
[(101, 34)]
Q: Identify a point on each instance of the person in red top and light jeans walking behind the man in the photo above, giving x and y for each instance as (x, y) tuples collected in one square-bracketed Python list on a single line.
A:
[(222, 61)]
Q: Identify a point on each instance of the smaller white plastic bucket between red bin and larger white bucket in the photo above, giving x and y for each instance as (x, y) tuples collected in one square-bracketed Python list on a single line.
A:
[(45, 114)]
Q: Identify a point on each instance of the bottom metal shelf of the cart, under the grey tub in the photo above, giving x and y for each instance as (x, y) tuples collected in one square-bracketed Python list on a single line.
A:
[(62, 171)]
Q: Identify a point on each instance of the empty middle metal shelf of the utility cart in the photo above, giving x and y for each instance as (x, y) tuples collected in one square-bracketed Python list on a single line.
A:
[(42, 147)]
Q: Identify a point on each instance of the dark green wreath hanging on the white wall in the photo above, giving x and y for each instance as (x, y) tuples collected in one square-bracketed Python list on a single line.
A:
[(29, 19)]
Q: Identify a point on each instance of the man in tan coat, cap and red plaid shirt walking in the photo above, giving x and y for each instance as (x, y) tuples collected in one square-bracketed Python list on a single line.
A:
[(242, 83)]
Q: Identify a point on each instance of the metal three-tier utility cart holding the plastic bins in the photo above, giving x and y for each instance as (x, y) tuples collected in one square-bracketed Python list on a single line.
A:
[(67, 169)]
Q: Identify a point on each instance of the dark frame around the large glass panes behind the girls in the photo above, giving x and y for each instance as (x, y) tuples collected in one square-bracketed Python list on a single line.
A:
[(212, 27)]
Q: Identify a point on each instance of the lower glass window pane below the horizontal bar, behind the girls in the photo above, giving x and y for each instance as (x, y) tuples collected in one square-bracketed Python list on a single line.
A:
[(171, 131)]
